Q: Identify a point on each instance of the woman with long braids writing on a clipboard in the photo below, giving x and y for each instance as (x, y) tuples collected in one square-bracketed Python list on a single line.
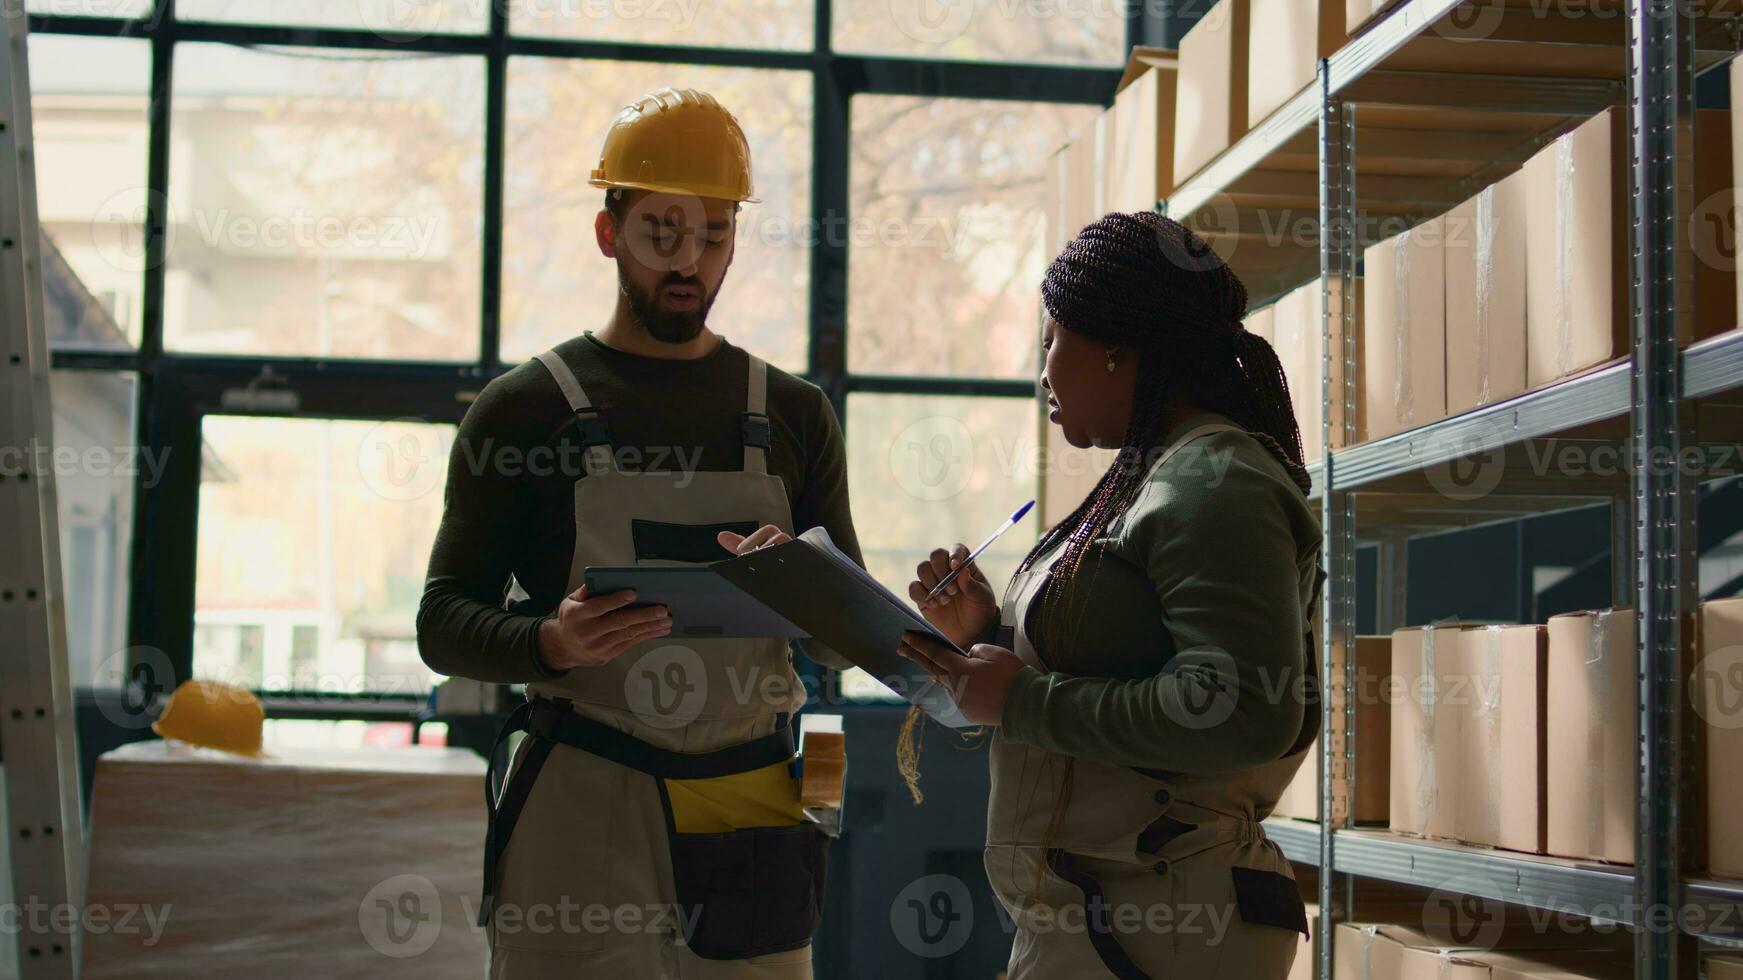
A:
[(1150, 670)]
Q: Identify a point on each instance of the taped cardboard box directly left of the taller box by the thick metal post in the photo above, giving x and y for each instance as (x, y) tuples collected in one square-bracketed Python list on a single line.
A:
[(1498, 768)]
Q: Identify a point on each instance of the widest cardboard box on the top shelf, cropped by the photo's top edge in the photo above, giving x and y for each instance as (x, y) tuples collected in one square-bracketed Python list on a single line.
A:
[(1285, 43)]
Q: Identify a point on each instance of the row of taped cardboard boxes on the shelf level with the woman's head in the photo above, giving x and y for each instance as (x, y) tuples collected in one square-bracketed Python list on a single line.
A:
[(1526, 283)]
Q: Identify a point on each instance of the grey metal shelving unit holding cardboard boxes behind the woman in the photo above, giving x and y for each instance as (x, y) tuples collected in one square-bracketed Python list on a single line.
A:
[(1498, 83)]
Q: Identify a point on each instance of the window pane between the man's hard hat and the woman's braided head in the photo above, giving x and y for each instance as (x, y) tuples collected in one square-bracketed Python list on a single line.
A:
[(947, 257)]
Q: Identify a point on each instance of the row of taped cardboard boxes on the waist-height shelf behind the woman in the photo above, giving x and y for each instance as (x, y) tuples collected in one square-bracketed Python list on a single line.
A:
[(1482, 752)]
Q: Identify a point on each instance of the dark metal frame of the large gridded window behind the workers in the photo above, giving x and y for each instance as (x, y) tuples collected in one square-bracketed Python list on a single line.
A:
[(177, 390)]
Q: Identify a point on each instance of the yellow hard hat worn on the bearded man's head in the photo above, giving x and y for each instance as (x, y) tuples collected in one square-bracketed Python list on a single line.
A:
[(677, 142)]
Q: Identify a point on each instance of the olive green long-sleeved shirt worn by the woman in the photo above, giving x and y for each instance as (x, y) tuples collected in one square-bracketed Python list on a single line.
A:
[(1200, 587)]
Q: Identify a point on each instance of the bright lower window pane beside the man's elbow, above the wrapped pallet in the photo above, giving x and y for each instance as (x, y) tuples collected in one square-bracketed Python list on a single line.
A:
[(313, 543)]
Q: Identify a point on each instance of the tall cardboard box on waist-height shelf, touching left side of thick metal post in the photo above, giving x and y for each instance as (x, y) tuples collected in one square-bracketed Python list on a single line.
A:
[(1594, 732)]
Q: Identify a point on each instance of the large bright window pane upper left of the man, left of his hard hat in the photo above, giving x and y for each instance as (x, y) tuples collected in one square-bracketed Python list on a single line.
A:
[(329, 205)]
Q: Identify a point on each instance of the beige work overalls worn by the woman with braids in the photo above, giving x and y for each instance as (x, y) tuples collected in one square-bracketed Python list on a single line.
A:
[(1146, 875)]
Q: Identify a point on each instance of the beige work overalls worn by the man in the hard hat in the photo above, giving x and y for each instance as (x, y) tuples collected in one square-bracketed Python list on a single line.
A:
[(592, 876)]
